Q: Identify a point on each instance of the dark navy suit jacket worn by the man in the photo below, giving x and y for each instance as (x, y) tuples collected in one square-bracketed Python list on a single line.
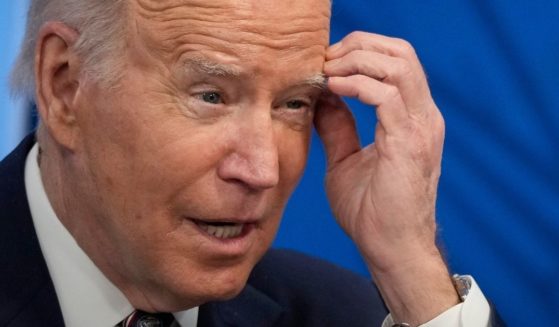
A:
[(285, 289)]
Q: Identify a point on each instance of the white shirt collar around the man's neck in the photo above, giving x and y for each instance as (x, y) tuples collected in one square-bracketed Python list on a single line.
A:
[(86, 296)]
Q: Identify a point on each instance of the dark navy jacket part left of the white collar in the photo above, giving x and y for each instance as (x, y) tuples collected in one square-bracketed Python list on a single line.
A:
[(27, 295)]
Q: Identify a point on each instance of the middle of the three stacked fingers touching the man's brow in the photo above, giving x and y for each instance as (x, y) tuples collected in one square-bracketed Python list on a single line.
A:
[(392, 70)]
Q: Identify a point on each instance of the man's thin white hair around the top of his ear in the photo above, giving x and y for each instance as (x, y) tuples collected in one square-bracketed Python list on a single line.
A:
[(101, 25)]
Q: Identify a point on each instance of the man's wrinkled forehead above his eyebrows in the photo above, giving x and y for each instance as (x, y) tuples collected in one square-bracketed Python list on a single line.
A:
[(243, 29)]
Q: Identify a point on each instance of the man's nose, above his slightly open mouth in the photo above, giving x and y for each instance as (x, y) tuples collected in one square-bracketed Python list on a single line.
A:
[(253, 160)]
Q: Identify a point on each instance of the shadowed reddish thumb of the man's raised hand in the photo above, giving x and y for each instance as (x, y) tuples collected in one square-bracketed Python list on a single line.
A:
[(336, 127)]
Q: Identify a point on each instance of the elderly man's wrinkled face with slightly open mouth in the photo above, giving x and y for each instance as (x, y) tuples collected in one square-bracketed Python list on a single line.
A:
[(193, 157)]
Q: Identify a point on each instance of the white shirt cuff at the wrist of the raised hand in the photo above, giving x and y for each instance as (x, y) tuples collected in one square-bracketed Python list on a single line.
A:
[(473, 312)]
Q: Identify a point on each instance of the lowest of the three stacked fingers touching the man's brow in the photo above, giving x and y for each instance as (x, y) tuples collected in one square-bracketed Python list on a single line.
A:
[(390, 108)]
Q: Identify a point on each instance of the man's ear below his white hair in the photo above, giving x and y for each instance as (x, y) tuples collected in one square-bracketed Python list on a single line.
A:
[(57, 81)]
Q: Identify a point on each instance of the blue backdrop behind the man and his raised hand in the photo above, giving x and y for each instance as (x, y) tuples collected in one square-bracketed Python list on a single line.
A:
[(493, 67)]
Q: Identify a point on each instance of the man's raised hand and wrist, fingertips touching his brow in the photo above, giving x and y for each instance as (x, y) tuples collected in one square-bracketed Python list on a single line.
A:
[(383, 195)]
